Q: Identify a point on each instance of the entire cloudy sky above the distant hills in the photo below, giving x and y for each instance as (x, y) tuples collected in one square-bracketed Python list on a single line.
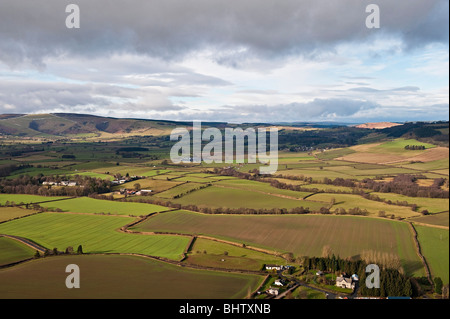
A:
[(227, 60)]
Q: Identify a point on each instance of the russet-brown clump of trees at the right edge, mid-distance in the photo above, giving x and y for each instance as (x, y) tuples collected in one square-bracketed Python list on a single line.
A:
[(404, 184)]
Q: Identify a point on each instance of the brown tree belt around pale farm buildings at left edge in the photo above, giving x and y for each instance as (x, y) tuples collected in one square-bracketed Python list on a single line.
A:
[(25, 184)]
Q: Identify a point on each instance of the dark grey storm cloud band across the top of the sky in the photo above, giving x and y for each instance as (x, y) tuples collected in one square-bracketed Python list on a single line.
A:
[(31, 30)]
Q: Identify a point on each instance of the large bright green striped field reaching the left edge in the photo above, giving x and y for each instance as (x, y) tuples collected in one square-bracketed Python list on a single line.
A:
[(97, 234)]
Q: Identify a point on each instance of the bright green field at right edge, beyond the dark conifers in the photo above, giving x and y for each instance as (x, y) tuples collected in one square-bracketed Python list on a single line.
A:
[(435, 247)]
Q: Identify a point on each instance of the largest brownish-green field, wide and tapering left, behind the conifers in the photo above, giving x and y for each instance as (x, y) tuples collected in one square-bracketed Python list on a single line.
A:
[(303, 235)]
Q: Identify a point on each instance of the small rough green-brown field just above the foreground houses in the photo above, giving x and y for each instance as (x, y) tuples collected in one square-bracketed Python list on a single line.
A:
[(216, 254)]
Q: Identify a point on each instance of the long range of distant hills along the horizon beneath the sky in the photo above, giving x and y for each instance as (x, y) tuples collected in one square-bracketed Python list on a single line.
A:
[(70, 125)]
